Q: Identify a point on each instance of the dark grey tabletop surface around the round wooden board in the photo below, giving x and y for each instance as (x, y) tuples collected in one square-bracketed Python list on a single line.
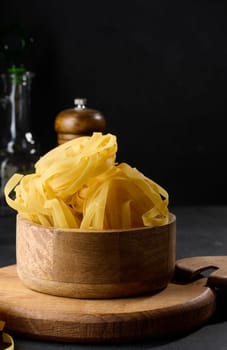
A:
[(201, 230)]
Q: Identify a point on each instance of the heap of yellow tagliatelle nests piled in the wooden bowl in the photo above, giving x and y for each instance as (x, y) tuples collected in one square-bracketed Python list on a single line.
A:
[(79, 185)]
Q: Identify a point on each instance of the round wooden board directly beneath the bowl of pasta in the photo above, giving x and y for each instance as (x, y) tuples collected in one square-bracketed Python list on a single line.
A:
[(178, 309)]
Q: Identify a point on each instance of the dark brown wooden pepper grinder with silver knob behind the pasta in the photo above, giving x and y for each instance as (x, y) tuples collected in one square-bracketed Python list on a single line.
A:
[(78, 121)]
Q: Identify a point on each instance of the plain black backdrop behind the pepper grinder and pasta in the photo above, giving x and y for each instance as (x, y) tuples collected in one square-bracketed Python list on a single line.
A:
[(156, 69)]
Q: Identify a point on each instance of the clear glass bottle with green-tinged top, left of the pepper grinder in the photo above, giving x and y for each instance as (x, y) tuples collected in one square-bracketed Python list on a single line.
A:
[(18, 149)]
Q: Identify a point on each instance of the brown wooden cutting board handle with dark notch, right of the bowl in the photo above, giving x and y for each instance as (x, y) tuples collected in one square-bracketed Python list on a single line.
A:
[(189, 268)]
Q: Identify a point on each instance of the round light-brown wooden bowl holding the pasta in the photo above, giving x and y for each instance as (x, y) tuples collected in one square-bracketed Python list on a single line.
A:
[(95, 264)]
